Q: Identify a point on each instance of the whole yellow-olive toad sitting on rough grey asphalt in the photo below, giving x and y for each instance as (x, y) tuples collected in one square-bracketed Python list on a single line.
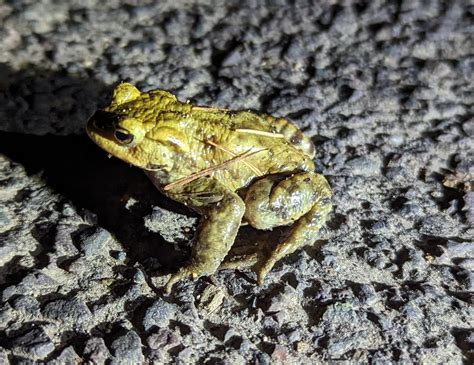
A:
[(273, 185)]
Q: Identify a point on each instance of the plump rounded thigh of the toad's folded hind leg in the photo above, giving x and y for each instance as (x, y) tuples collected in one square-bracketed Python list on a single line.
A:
[(276, 201)]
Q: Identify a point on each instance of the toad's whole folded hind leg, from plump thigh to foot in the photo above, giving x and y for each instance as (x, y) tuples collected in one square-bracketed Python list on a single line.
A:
[(303, 198)]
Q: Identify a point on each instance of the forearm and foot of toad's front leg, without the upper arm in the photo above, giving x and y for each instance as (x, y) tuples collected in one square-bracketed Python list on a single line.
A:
[(215, 235)]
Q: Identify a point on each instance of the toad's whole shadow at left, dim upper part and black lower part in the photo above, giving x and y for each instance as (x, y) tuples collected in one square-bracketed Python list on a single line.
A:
[(73, 166)]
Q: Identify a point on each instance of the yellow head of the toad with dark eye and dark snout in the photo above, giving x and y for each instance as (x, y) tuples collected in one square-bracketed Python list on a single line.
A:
[(127, 130)]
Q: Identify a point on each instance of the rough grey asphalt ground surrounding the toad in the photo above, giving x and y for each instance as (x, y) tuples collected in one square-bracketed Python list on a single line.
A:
[(385, 90)]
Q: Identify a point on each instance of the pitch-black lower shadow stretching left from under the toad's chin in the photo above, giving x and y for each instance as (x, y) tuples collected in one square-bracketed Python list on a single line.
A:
[(81, 172)]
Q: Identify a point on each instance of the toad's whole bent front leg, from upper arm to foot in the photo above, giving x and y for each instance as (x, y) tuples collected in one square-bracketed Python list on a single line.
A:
[(222, 211)]
